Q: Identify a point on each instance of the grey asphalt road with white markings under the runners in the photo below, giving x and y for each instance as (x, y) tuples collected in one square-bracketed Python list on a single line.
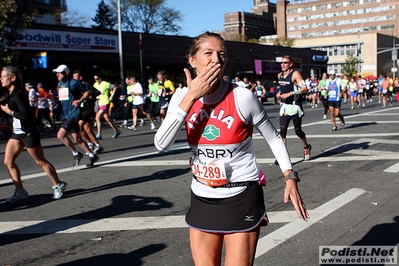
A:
[(129, 209)]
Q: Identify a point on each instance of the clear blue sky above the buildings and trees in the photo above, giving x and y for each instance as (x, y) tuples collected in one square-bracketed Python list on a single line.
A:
[(198, 16)]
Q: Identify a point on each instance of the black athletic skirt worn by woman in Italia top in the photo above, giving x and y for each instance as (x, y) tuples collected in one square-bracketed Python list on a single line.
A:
[(241, 213)]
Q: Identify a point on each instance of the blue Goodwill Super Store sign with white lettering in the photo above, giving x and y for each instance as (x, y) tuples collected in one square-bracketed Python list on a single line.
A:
[(32, 39)]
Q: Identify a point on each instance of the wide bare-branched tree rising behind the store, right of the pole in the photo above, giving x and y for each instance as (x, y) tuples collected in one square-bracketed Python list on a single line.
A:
[(148, 16)]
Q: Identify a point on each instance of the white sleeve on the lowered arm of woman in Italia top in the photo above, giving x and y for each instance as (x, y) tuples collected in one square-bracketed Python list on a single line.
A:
[(251, 109)]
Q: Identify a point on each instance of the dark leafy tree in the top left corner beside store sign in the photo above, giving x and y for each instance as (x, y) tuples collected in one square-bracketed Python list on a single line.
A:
[(12, 22)]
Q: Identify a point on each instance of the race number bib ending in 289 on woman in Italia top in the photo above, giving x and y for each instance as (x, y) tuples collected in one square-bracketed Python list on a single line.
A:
[(212, 174)]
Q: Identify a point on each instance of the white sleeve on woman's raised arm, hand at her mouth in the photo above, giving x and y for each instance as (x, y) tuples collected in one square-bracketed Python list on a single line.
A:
[(172, 124)]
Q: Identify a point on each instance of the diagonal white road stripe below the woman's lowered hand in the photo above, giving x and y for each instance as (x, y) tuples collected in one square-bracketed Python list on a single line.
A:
[(282, 234)]
